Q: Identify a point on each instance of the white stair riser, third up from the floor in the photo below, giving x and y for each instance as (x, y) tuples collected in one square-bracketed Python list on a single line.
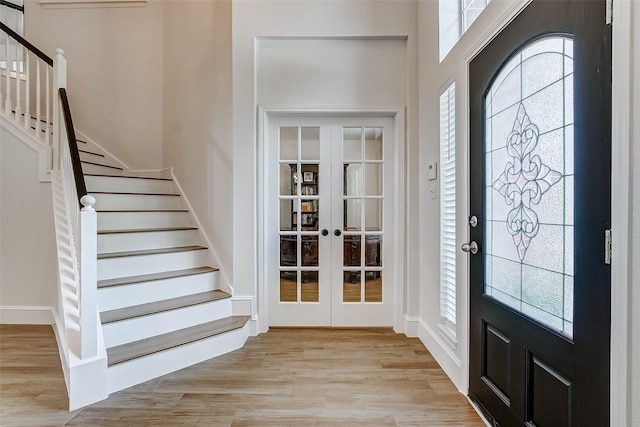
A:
[(115, 297)]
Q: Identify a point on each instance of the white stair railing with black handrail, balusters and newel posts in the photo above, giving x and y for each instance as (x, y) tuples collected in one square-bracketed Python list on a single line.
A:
[(38, 104)]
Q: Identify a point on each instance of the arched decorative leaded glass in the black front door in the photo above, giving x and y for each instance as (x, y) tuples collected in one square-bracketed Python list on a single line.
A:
[(529, 183)]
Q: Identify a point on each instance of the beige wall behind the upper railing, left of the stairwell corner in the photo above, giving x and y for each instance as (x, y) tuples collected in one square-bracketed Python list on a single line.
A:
[(114, 73)]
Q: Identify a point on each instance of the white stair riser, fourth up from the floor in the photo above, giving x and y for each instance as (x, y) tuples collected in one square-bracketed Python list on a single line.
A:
[(110, 268)]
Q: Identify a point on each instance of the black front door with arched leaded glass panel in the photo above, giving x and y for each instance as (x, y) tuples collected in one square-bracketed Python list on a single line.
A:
[(540, 168)]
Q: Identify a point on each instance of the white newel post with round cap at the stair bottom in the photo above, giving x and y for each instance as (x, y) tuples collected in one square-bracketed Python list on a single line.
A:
[(88, 254)]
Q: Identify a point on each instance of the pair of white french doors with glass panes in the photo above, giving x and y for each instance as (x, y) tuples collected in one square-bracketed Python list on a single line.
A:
[(330, 223)]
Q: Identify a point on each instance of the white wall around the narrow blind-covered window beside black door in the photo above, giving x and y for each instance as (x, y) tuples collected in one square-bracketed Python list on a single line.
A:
[(435, 77)]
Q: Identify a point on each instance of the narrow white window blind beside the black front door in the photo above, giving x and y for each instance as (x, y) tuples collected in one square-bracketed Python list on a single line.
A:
[(448, 210)]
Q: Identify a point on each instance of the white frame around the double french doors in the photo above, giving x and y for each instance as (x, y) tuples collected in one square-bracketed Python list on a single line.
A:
[(399, 196)]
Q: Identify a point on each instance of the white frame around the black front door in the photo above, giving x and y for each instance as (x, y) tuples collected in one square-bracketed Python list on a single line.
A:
[(622, 50)]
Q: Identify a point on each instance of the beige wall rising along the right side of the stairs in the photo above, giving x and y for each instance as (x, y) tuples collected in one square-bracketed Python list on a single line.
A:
[(197, 107)]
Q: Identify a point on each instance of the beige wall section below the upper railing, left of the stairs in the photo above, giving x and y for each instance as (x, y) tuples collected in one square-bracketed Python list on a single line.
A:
[(28, 264)]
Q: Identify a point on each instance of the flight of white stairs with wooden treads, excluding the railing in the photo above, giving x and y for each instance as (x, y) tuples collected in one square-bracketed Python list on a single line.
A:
[(160, 304)]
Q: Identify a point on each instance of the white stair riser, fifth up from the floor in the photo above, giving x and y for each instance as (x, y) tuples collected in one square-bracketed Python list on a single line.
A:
[(119, 242)]
